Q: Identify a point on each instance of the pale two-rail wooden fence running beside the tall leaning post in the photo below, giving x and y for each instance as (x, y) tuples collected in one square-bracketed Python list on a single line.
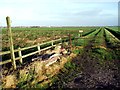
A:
[(19, 50)]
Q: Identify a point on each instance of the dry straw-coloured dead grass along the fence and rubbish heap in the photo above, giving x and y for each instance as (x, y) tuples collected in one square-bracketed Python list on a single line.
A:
[(36, 70)]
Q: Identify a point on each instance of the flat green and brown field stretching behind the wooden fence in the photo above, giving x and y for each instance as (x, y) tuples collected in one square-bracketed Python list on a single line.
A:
[(23, 37)]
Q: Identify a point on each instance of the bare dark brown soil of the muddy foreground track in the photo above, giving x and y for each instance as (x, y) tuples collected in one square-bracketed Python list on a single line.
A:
[(93, 74)]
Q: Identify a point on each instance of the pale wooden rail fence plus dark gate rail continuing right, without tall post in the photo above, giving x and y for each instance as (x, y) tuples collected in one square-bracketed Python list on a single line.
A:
[(38, 46)]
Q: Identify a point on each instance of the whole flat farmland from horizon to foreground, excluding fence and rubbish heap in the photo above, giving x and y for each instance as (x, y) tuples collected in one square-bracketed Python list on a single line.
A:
[(93, 61)]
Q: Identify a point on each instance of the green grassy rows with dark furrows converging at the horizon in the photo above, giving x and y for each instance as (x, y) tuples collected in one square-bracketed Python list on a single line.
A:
[(99, 37)]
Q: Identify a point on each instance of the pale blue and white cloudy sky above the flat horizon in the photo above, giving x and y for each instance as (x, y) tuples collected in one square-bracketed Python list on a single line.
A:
[(59, 12)]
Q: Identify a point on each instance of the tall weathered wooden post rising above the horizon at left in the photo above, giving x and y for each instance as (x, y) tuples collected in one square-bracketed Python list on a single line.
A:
[(11, 41)]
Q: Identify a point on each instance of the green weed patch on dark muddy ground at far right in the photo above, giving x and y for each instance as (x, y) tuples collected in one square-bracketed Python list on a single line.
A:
[(104, 56)]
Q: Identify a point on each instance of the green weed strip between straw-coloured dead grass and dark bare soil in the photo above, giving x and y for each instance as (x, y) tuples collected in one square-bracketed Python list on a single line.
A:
[(66, 75)]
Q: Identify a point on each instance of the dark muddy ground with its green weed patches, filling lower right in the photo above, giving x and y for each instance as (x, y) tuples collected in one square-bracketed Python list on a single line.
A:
[(94, 68)]
